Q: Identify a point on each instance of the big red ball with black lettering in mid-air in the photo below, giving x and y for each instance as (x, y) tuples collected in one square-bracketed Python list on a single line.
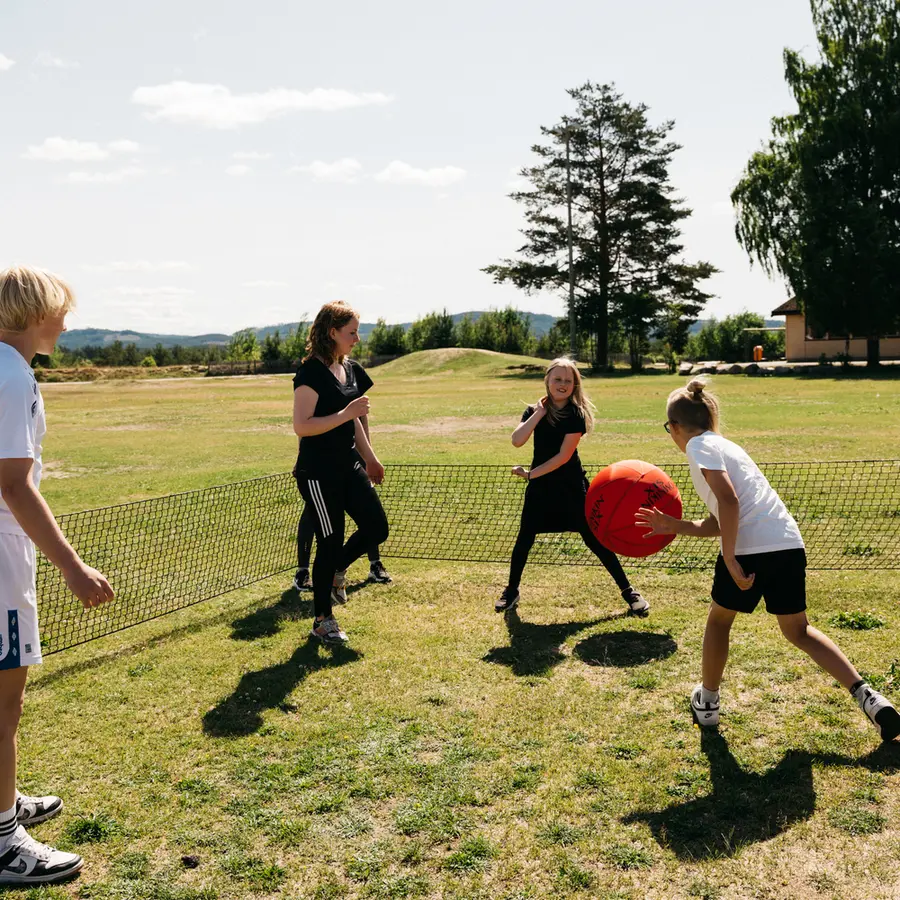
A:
[(617, 493)]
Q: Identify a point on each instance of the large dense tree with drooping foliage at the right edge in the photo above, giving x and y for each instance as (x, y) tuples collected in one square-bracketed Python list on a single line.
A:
[(820, 205)]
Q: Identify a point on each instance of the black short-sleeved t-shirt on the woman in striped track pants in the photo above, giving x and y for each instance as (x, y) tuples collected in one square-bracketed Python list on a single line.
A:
[(322, 453)]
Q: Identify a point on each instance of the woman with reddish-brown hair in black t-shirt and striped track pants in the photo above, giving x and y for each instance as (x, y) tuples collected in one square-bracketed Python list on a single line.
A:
[(335, 465)]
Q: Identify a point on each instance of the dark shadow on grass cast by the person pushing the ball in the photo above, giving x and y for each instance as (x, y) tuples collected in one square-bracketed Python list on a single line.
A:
[(744, 807)]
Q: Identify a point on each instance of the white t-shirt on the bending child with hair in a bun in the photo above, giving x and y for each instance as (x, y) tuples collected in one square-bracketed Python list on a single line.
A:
[(764, 524)]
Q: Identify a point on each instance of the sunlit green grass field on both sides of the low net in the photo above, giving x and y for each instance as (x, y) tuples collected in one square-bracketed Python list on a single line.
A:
[(449, 752)]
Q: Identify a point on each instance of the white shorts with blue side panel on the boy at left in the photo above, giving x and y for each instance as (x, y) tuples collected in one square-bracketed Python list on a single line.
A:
[(20, 642)]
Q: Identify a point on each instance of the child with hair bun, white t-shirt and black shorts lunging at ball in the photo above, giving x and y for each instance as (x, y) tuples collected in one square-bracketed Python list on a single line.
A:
[(762, 556)]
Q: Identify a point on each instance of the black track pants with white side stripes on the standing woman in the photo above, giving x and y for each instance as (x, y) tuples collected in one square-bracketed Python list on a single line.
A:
[(330, 498)]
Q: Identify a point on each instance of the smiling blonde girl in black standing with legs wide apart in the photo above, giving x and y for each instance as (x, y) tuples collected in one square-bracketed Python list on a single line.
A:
[(557, 484)]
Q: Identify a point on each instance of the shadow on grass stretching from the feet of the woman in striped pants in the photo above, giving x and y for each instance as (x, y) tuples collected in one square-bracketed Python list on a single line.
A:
[(240, 713)]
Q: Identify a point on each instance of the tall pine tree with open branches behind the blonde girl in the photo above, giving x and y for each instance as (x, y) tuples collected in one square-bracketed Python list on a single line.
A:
[(625, 221)]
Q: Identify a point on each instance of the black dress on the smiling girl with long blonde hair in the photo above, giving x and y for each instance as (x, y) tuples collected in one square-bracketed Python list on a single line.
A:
[(555, 501)]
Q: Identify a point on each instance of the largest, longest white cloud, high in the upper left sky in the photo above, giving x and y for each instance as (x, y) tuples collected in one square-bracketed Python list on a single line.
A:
[(215, 106)]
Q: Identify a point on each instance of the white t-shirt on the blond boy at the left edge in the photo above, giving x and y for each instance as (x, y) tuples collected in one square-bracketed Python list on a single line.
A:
[(22, 423)]
